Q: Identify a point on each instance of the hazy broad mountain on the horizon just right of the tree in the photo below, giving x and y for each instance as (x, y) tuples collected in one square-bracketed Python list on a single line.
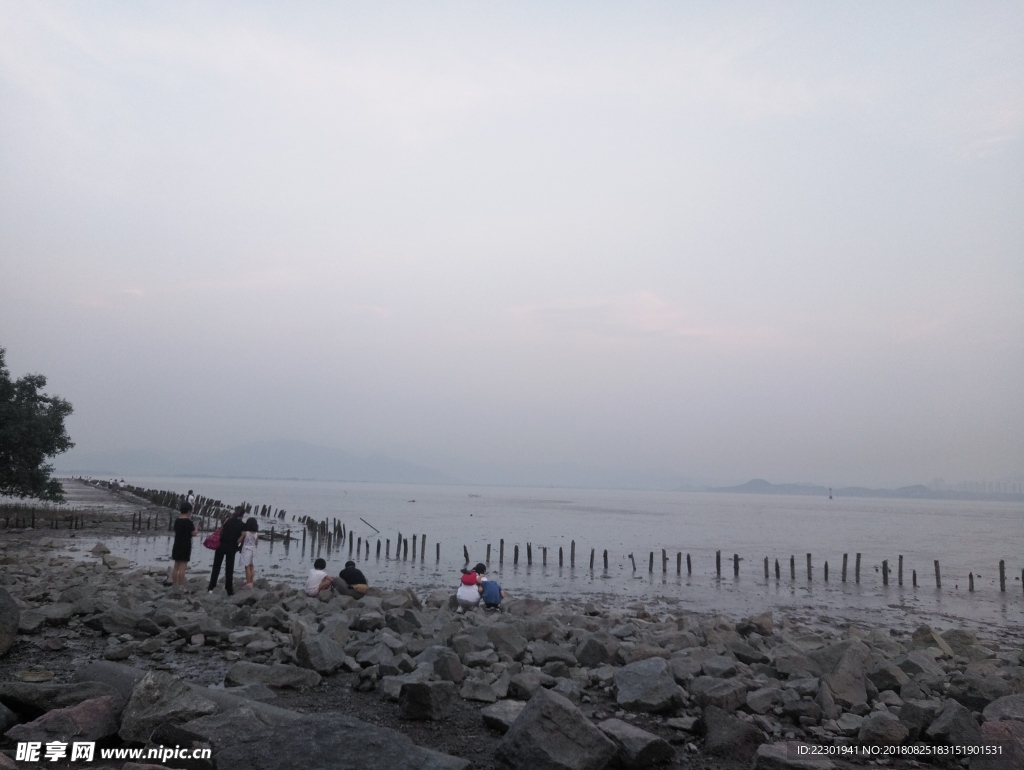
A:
[(258, 460)]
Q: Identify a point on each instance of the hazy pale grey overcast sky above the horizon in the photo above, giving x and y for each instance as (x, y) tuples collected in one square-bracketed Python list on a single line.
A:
[(714, 241)]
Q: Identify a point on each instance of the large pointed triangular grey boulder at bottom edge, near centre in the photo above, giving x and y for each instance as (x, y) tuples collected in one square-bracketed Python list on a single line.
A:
[(552, 735)]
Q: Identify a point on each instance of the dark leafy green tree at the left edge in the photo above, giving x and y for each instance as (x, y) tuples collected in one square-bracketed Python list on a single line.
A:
[(31, 431)]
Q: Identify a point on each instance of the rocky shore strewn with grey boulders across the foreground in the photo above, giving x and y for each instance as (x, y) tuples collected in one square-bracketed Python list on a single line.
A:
[(95, 651)]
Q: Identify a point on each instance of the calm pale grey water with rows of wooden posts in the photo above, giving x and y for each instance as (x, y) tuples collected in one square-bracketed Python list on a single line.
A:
[(965, 537)]
